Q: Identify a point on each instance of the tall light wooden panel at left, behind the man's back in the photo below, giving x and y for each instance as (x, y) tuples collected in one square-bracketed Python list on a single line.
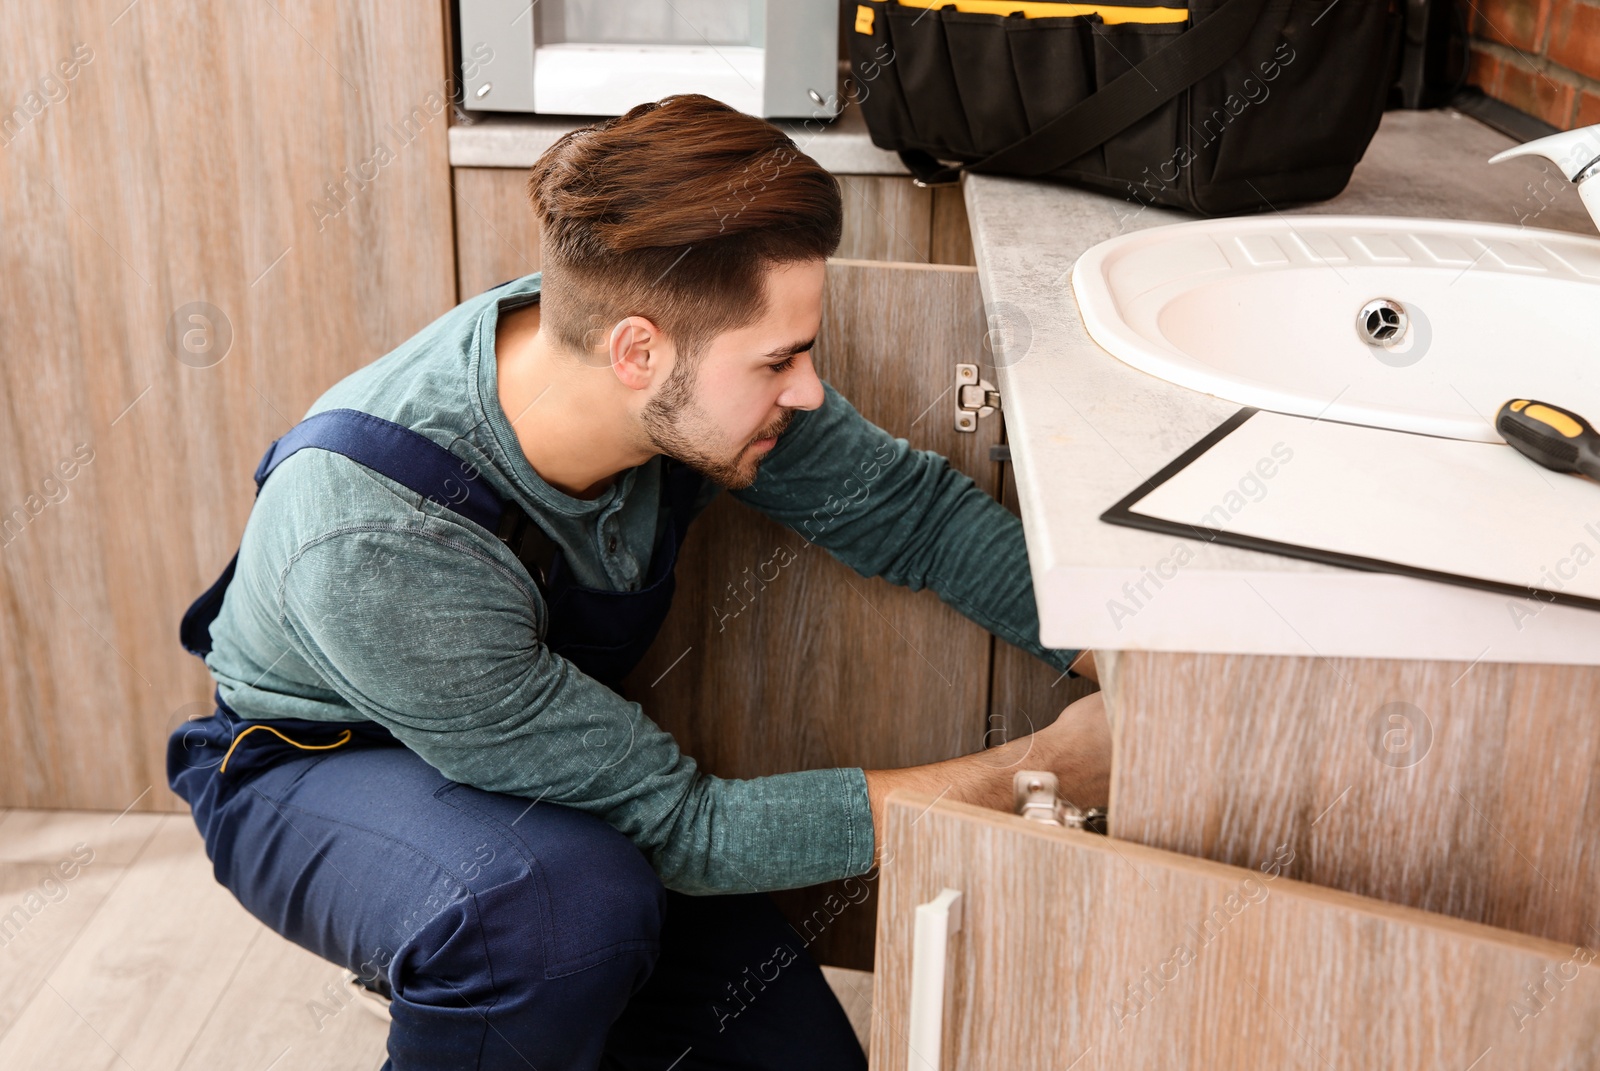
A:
[(284, 164)]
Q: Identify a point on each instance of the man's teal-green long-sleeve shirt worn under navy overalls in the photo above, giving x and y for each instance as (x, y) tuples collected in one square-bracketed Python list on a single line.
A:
[(356, 600)]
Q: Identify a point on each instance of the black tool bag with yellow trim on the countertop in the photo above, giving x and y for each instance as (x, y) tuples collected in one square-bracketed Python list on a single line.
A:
[(1242, 106)]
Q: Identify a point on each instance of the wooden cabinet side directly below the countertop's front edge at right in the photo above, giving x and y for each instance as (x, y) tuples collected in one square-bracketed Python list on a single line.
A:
[(1468, 790)]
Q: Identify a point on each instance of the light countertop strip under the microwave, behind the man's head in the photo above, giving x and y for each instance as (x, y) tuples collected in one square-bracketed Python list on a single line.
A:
[(516, 142)]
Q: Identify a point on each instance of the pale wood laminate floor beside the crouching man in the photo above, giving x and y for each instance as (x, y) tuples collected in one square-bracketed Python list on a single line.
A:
[(119, 952)]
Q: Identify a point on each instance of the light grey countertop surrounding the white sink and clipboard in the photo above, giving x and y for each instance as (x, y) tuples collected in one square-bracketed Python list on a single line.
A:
[(1086, 430)]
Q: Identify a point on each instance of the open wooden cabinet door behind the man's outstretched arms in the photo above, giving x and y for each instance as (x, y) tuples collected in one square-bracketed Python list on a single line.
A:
[(826, 668)]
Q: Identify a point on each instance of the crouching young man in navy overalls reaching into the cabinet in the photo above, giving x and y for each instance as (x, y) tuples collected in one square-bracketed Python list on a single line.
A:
[(420, 768)]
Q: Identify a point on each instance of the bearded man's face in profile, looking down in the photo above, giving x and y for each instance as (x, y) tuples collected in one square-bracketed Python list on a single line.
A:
[(722, 417)]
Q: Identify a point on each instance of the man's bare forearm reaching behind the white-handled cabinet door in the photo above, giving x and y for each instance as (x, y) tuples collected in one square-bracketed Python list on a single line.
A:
[(1076, 748)]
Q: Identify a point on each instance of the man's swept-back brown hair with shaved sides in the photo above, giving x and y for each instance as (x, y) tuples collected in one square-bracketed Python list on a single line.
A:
[(673, 212)]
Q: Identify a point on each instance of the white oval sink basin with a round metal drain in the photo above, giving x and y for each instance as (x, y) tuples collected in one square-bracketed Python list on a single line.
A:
[(1423, 326)]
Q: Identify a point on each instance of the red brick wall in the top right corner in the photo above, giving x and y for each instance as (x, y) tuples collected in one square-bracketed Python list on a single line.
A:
[(1542, 57)]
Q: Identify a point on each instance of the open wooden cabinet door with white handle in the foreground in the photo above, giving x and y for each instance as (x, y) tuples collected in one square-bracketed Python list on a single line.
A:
[(1086, 953)]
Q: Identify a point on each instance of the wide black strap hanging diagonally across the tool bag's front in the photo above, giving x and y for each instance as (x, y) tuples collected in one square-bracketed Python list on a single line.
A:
[(1124, 102)]
